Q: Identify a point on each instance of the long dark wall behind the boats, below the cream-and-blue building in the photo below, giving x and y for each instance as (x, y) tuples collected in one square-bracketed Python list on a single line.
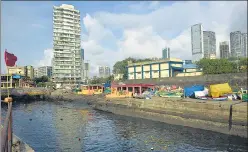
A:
[(234, 79)]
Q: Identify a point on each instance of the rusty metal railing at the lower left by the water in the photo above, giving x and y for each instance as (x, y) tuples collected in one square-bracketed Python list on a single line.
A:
[(6, 139)]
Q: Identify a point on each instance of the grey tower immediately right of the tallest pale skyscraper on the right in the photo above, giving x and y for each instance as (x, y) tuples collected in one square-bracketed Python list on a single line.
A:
[(209, 43)]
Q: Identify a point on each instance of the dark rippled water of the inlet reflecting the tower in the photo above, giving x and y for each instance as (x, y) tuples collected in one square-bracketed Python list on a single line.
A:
[(74, 127)]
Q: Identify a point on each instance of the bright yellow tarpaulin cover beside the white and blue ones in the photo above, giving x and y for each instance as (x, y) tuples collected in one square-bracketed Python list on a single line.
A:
[(218, 90)]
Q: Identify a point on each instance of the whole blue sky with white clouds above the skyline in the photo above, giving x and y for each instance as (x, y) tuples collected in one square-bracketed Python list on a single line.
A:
[(115, 30)]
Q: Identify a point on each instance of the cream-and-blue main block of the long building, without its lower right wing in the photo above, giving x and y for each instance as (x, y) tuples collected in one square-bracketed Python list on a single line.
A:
[(169, 67)]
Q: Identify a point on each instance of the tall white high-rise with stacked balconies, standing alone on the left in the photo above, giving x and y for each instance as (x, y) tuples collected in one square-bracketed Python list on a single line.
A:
[(67, 57)]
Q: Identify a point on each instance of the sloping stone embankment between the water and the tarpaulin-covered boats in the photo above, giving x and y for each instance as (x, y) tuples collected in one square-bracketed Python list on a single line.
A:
[(226, 117)]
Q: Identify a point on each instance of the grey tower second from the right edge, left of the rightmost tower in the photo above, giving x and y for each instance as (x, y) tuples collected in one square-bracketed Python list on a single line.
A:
[(235, 44)]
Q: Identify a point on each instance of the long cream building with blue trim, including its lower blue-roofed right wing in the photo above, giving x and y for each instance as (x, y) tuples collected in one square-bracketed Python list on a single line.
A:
[(170, 67)]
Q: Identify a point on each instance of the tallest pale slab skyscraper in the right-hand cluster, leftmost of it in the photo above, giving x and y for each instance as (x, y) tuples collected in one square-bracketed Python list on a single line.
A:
[(197, 42)]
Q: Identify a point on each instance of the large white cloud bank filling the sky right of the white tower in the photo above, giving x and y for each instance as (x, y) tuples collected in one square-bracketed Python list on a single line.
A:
[(144, 35)]
